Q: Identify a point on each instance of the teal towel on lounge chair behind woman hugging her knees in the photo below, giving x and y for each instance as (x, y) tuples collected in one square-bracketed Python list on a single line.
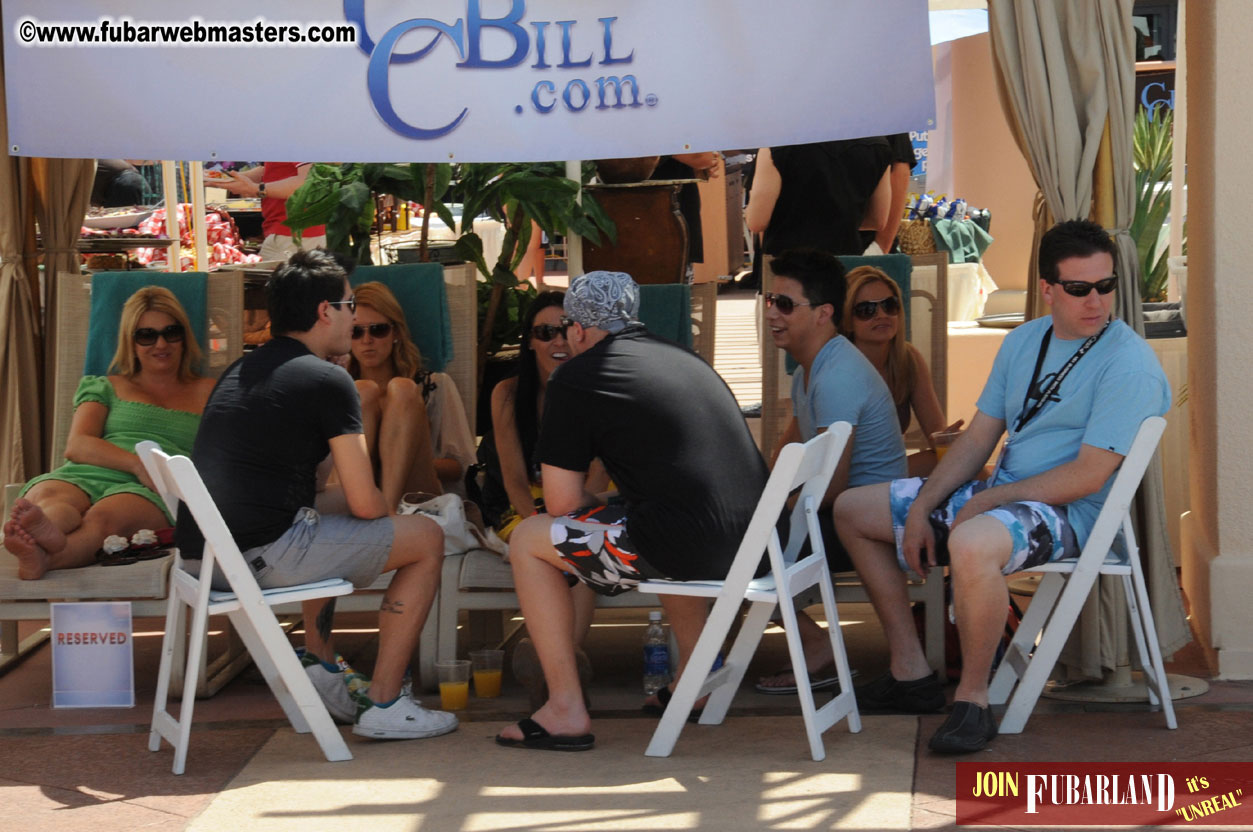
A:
[(420, 290)]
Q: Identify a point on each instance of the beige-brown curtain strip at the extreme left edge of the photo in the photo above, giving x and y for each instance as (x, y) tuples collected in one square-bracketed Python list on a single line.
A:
[(21, 424)]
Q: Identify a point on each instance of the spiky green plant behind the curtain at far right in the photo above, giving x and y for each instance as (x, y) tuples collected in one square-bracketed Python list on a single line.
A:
[(1153, 145)]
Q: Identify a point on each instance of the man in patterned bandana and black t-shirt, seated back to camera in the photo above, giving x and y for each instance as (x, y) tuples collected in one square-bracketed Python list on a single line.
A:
[(675, 443)]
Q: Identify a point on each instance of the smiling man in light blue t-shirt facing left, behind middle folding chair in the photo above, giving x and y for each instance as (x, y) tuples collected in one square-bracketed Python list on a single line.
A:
[(834, 383)]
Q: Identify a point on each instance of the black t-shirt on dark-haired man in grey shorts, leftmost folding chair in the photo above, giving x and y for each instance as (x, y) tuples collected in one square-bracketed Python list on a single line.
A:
[(265, 430)]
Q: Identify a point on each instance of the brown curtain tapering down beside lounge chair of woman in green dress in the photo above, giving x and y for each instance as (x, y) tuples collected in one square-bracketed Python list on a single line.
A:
[(63, 190)]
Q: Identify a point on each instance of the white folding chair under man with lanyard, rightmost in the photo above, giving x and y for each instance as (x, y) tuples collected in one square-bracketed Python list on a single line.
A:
[(1064, 588)]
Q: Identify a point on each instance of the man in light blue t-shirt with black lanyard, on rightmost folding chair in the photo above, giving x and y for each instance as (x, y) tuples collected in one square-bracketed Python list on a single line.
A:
[(1071, 390)]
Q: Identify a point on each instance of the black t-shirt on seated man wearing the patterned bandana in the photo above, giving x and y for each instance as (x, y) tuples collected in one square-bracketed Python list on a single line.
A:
[(673, 440)]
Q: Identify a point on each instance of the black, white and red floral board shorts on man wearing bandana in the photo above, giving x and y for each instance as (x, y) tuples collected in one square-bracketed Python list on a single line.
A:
[(596, 548)]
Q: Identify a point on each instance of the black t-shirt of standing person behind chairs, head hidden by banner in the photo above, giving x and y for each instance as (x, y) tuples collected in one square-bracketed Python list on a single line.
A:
[(826, 189)]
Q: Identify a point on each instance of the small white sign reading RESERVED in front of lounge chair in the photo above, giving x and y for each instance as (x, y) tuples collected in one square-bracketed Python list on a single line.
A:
[(93, 660)]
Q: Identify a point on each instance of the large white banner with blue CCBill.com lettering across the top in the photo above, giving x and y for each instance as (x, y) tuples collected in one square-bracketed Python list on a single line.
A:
[(465, 81)]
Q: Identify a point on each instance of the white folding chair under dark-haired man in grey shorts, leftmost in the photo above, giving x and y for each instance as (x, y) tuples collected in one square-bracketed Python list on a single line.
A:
[(249, 610)]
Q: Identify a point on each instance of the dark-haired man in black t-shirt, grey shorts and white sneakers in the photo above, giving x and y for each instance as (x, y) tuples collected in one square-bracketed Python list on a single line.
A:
[(275, 423)]
